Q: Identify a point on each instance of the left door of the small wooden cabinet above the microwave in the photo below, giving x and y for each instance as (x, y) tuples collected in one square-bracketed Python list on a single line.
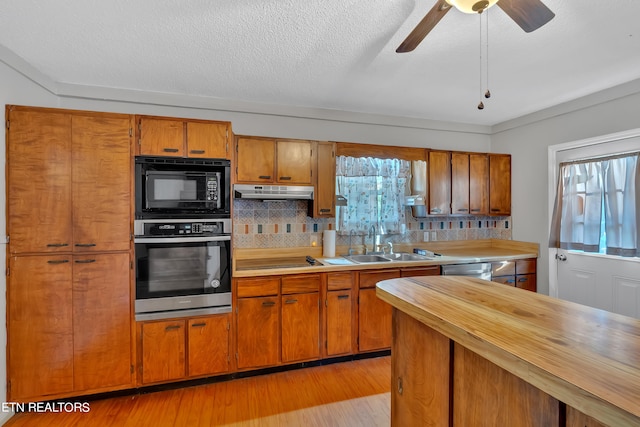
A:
[(161, 137)]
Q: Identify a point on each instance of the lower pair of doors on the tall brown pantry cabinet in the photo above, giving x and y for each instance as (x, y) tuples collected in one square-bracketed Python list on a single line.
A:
[(69, 323)]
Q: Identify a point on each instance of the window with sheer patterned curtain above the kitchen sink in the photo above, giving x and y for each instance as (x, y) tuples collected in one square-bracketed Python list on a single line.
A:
[(375, 190)]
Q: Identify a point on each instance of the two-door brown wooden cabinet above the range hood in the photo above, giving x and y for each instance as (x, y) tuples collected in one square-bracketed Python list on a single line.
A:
[(274, 161)]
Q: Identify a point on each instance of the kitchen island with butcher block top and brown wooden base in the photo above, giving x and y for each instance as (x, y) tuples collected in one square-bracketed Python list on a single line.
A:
[(509, 357)]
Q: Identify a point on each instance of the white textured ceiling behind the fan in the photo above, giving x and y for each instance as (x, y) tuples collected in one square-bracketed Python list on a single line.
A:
[(328, 54)]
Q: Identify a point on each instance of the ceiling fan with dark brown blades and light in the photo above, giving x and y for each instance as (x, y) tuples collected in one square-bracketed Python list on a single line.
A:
[(528, 14)]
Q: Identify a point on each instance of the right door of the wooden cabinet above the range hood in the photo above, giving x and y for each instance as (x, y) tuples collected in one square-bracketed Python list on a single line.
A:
[(293, 162)]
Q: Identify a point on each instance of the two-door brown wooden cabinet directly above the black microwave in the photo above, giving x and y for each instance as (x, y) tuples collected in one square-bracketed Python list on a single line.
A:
[(163, 136)]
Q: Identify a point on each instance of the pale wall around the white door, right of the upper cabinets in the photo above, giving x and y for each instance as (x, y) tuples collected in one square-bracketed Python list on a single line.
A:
[(528, 144)]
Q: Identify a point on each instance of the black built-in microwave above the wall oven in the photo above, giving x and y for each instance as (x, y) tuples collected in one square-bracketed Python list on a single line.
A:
[(168, 187)]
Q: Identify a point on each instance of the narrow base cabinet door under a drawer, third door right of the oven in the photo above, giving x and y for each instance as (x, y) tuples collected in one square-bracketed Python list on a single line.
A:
[(339, 307)]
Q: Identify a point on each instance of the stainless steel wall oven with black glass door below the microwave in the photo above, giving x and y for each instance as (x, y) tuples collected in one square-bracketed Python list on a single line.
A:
[(183, 267)]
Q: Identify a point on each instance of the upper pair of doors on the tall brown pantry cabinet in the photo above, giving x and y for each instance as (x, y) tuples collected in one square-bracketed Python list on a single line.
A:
[(69, 181)]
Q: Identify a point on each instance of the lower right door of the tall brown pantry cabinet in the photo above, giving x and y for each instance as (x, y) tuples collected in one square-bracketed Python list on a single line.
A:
[(101, 321)]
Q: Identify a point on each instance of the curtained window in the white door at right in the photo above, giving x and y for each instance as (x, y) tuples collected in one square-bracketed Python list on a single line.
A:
[(597, 207)]
